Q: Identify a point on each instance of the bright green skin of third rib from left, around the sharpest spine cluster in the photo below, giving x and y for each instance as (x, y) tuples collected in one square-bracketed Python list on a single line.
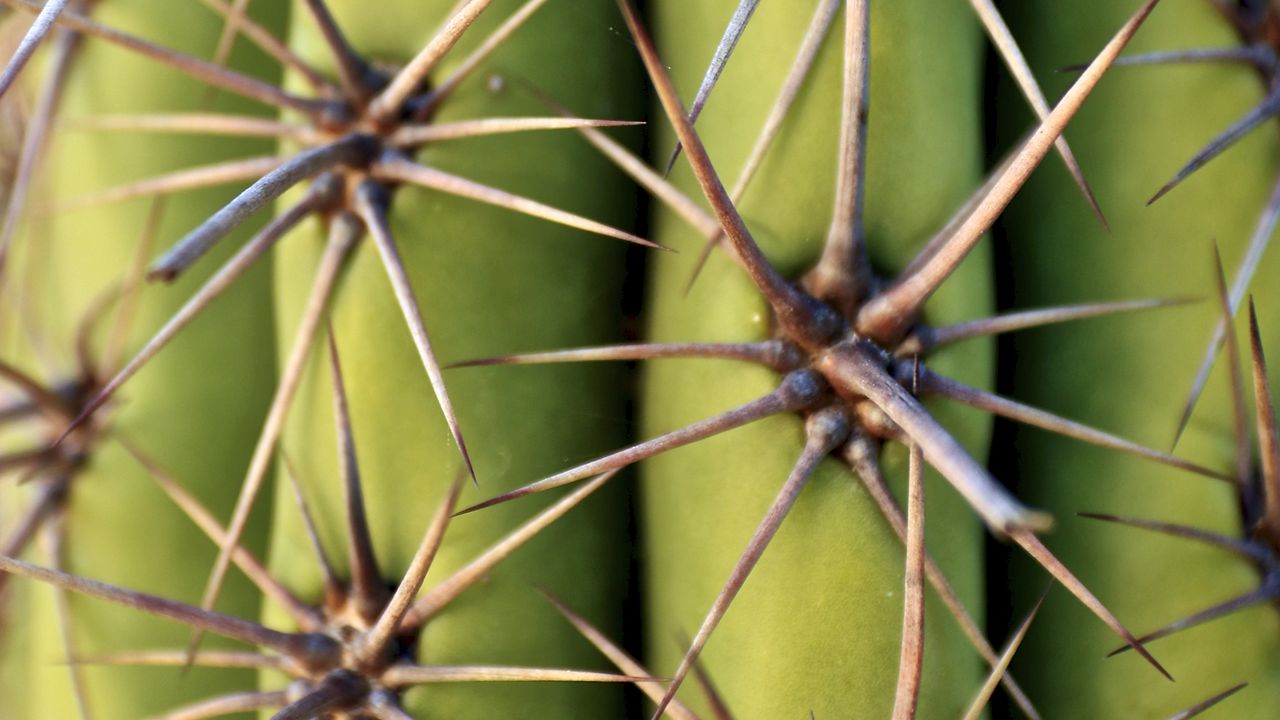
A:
[(819, 625)]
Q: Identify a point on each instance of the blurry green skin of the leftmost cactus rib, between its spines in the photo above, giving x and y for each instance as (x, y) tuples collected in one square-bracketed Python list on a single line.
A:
[(120, 526)]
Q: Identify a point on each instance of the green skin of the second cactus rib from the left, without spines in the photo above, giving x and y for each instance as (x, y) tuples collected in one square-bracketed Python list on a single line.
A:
[(487, 281)]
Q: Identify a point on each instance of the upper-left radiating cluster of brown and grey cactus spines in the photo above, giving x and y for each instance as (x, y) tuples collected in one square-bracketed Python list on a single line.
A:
[(386, 167)]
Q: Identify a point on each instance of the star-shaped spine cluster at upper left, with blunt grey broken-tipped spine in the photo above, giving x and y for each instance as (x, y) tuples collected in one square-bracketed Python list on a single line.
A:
[(359, 154)]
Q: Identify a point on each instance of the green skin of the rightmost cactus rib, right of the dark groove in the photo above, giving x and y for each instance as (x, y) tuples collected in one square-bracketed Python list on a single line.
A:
[(1130, 376)]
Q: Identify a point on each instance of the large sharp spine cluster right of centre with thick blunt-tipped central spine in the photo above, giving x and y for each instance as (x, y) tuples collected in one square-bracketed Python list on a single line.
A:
[(853, 367)]
